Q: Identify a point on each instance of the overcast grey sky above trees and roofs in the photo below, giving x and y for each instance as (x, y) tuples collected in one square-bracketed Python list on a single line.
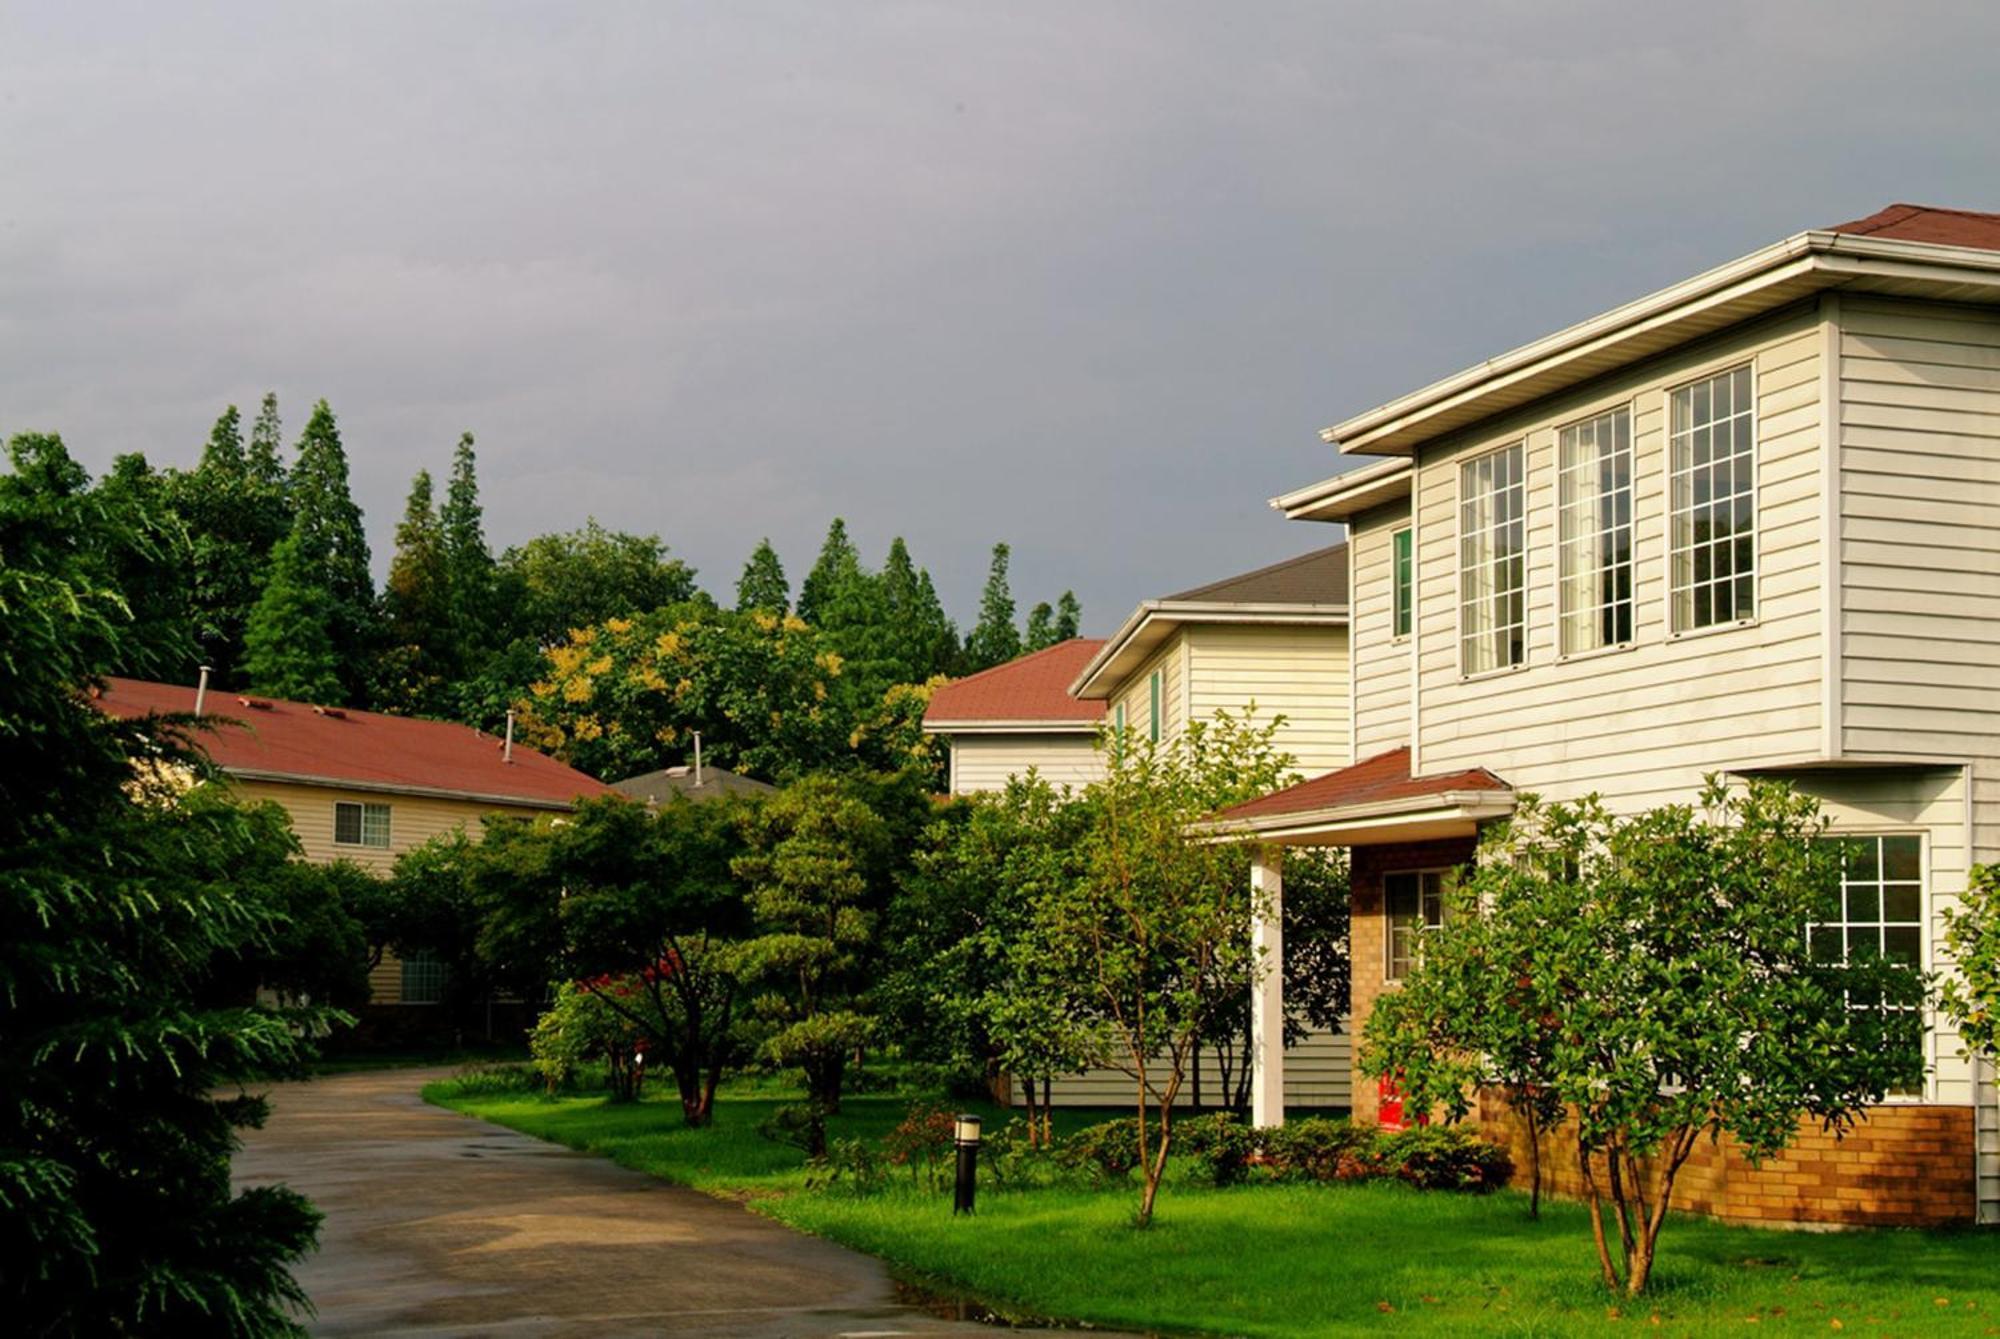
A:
[(1079, 277)]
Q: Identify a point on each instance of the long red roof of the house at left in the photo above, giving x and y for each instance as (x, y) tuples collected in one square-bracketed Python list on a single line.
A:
[(295, 740)]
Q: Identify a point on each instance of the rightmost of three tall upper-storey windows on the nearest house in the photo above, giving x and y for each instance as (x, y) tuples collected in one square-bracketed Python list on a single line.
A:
[(1713, 539)]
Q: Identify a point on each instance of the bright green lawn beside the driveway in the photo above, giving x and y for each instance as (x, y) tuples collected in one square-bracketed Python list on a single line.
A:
[(1295, 1260)]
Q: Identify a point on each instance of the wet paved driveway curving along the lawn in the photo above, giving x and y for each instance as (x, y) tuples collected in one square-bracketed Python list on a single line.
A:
[(439, 1226)]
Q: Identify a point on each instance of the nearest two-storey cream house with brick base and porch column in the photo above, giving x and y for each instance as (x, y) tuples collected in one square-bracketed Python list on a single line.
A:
[(1745, 525)]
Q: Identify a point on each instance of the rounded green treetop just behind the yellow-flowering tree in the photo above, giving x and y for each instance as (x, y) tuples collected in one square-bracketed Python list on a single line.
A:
[(587, 577)]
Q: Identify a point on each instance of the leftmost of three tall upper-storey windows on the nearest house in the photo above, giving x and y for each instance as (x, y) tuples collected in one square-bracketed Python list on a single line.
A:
[(1493, 537)]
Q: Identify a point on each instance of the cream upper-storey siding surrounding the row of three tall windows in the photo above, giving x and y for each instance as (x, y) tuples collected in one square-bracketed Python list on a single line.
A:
[(1645, 724)]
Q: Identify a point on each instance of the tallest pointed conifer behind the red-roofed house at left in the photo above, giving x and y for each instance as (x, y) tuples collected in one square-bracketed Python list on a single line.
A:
[(333, 551)]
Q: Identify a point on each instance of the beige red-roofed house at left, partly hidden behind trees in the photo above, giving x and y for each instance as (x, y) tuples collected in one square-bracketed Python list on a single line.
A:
[(361, 786)]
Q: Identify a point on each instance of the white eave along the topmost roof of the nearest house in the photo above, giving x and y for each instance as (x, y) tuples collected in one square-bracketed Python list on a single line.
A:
[(1825, 257)]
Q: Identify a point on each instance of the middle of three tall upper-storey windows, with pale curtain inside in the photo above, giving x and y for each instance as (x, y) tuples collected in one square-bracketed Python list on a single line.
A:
[(1595, 533)]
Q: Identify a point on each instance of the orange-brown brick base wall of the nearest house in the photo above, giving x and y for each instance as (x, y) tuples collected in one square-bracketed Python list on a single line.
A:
[(1905, 1166)]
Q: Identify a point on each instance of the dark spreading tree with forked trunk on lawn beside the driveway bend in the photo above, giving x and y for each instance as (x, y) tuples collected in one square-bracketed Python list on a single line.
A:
[(641, 910)]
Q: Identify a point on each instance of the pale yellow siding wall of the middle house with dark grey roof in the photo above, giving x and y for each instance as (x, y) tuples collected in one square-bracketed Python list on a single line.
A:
[(1293, 672)]
